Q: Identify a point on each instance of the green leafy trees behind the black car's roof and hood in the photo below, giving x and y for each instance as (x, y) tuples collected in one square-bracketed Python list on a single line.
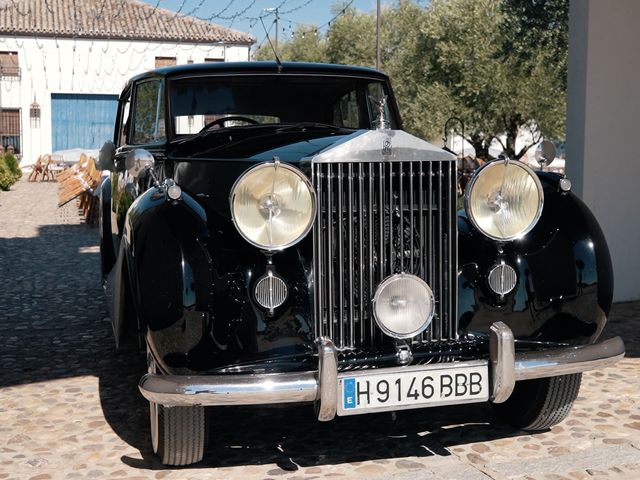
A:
[(499, 65)]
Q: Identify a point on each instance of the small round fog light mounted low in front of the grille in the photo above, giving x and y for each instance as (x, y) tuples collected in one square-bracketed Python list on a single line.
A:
[(403, 305)]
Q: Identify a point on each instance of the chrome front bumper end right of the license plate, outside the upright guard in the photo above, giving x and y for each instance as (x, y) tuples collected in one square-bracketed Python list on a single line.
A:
[(563, 361)]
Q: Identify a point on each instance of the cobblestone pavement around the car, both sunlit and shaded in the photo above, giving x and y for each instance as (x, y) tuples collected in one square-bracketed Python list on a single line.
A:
[(69, 405)]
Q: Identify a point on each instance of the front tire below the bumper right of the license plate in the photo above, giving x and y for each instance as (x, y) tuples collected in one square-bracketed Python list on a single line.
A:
[(541, 403)]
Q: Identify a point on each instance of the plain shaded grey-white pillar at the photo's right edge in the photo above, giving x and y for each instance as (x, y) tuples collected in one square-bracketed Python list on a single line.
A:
[(602, 126)]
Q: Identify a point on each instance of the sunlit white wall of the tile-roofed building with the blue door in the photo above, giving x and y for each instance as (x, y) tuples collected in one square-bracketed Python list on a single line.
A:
[(51, 65)]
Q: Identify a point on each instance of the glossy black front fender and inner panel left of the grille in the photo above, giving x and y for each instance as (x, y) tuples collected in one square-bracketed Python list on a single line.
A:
[(191, 278)]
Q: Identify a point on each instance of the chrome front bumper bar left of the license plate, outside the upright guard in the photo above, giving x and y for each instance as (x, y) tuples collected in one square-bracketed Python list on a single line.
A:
[(208, 390)]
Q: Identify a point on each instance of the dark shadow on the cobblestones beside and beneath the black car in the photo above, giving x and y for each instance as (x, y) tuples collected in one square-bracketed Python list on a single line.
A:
[(53, 325)]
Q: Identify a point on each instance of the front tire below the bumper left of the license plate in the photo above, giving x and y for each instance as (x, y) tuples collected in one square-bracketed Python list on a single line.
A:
[(178, 434)]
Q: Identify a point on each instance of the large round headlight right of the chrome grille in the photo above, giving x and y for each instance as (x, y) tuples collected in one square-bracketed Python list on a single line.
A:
[(504, 200)]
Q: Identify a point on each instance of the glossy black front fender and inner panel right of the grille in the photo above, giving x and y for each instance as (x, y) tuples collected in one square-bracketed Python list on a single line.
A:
[(565, 279)]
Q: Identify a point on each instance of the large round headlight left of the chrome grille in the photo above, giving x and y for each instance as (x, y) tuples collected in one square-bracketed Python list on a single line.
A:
[(273, 205)]
